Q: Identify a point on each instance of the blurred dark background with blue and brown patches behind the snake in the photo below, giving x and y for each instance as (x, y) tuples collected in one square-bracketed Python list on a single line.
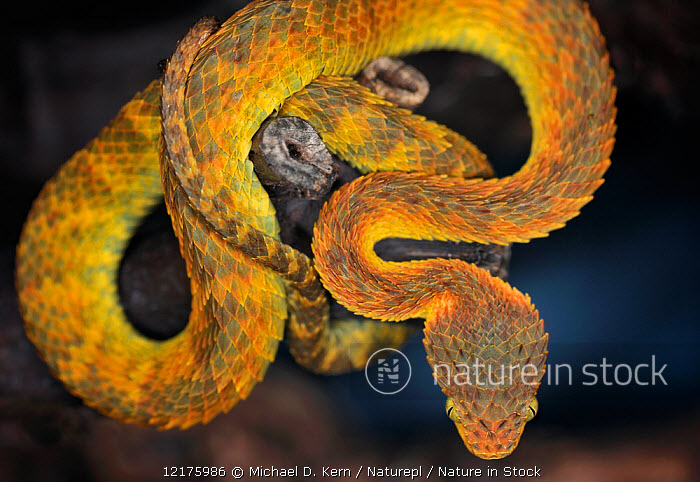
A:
[(620, 281)]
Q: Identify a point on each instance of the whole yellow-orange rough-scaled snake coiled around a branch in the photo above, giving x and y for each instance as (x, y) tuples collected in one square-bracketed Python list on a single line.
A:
[(186, 138)]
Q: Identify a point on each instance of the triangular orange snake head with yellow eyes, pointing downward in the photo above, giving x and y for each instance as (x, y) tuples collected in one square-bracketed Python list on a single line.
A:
[(488, 356)]
